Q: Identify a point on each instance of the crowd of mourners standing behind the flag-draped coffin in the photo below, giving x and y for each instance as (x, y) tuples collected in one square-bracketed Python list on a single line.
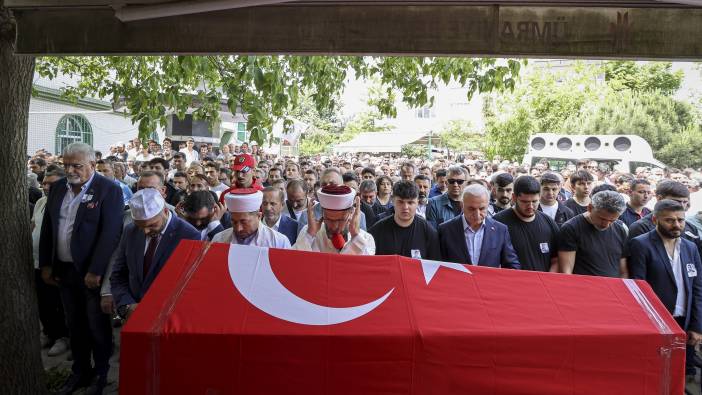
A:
[(104, 224)]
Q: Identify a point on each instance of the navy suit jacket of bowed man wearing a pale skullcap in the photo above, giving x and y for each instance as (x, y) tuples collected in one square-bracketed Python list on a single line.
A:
[(128, 282)]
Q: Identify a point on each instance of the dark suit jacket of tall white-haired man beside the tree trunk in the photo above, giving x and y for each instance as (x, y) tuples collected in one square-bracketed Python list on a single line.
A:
[(96, 229)]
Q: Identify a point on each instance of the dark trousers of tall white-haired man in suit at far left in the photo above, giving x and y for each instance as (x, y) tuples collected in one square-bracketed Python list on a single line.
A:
[(89, 328)]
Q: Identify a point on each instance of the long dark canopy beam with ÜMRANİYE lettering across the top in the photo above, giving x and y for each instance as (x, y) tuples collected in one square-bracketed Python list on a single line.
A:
[(585, 28)]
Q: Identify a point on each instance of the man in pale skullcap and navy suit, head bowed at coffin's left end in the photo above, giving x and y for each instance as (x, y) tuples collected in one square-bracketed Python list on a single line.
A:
[(144, 248)]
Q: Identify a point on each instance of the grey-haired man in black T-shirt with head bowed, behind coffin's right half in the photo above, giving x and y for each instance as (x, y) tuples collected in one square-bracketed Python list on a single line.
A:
[(594, 243)]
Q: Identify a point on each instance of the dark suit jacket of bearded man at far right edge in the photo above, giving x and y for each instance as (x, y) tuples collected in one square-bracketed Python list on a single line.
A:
[(649, 261)]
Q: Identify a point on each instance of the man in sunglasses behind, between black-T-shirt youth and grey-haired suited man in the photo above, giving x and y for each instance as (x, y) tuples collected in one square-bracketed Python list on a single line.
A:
[(445, 207)]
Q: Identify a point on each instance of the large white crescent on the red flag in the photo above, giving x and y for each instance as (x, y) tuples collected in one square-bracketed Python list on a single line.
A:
[(251, 272)]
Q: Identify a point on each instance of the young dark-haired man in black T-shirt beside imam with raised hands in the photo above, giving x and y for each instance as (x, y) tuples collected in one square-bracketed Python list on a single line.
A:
[(406, 233)]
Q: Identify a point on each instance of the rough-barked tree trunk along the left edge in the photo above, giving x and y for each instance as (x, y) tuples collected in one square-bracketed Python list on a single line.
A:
[(21, 370)]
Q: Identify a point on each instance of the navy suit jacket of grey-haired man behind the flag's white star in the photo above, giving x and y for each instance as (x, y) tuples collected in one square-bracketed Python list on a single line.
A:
[(496, 249)]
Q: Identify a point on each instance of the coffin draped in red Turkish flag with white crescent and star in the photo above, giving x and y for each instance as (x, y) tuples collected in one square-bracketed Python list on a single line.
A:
[(224, 319)]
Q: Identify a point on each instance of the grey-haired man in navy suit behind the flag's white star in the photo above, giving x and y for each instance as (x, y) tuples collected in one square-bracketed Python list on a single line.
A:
[(473, 237)]
